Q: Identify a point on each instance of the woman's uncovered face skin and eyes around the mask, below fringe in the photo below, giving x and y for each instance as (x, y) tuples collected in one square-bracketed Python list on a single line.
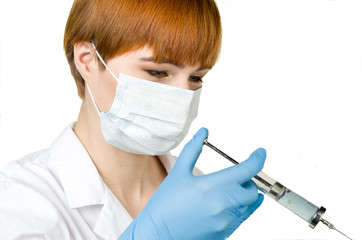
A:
[(140, 64)]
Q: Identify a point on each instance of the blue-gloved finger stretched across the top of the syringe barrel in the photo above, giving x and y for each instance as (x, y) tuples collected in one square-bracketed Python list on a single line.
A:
[(242, 172)]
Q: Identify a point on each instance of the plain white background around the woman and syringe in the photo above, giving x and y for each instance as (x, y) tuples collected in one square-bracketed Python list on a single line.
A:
[(288, 79)]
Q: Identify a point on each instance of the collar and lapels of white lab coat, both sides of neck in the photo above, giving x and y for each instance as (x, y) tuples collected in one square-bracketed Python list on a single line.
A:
[(83, 186)]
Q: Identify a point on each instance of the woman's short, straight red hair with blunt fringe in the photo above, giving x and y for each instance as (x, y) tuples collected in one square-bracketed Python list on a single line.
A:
[(183, 31)]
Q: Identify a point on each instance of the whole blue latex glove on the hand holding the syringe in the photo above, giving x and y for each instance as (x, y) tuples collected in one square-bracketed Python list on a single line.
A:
[(199, 207)]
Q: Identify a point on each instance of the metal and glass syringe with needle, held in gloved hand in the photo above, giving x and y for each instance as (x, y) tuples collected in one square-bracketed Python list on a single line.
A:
[(286, 197)]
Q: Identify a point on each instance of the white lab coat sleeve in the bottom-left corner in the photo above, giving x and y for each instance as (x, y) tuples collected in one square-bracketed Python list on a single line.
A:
[(28, 214)]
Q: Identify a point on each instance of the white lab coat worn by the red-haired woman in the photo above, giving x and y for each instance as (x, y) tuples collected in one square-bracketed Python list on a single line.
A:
[(57, 193)]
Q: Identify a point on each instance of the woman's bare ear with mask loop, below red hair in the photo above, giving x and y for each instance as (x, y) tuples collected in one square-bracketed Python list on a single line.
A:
[(84, 60)]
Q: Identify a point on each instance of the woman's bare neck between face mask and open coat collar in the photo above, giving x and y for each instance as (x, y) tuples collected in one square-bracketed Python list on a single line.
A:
[(131, 177)]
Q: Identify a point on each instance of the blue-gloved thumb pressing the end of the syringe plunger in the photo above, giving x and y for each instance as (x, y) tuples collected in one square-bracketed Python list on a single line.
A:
[(191, 152)]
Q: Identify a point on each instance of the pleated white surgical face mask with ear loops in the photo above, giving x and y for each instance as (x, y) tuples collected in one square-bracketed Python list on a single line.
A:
[(147, 117)]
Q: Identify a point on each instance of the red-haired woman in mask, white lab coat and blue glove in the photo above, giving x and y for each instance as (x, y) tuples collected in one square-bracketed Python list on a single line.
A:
[(138, 66)]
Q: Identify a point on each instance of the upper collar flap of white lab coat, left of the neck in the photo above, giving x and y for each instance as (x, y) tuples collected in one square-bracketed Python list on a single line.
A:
[(82, 184)]
